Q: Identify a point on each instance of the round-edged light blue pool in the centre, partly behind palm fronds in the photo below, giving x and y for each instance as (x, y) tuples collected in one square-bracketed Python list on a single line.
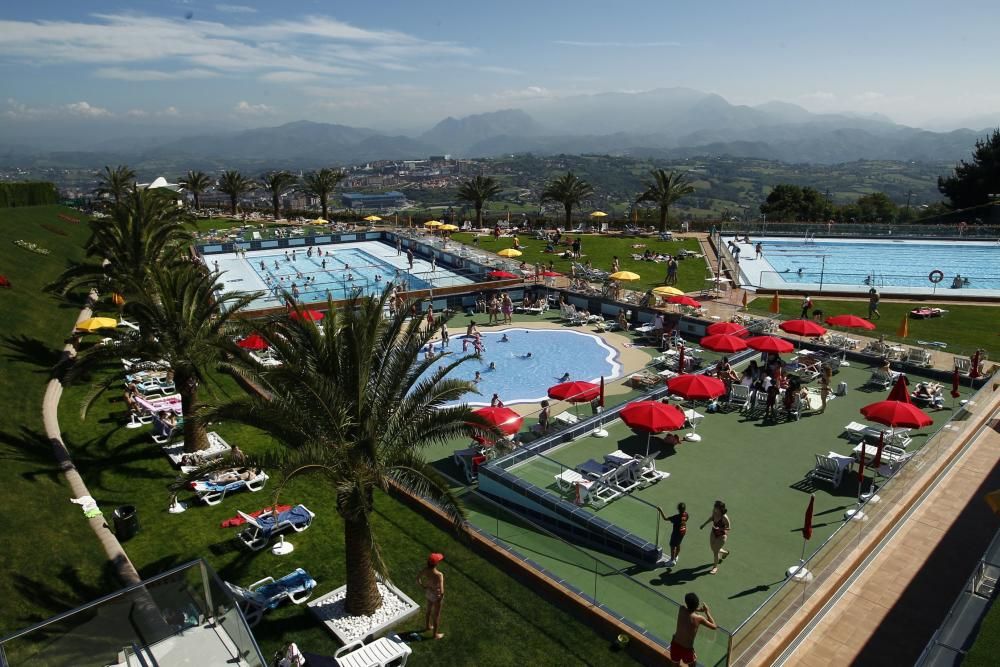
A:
[(518, 379)]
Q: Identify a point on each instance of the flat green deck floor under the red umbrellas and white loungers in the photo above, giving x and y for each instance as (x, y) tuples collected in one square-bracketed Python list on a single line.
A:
[(759, 469)]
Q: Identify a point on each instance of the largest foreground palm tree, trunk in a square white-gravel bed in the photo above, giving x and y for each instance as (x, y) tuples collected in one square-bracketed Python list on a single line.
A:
[(353, 408)]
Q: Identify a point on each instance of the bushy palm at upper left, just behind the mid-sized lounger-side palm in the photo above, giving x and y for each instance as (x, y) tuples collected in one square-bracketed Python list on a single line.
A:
[(146, 229)]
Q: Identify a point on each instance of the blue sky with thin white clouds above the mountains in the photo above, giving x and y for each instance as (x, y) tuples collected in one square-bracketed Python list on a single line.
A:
[(402, 65)]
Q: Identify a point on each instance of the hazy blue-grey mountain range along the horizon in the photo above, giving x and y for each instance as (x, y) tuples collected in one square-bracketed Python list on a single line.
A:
[(664, 123)]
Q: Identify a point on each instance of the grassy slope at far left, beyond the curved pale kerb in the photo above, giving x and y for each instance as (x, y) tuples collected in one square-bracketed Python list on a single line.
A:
[(50, 558)]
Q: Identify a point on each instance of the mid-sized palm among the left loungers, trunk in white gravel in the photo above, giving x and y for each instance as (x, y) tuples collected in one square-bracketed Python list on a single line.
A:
[(183, 320)]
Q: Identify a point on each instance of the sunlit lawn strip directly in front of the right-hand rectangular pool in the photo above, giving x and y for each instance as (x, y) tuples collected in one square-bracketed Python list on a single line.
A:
[(964, 327)]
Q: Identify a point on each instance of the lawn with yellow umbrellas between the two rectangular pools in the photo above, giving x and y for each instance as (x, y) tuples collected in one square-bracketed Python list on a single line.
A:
[(600, 250)]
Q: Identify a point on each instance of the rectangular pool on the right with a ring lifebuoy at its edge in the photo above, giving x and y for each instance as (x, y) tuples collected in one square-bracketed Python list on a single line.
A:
[(858, 264)]
